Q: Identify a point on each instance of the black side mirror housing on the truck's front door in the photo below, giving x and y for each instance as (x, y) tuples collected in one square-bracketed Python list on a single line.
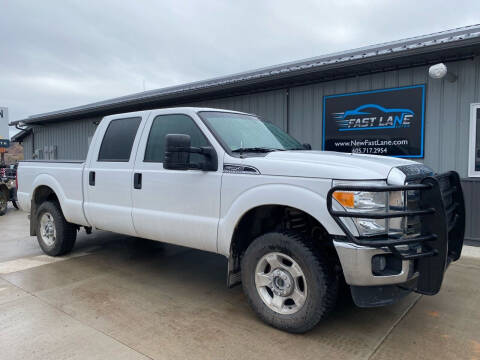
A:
[(177, 154)]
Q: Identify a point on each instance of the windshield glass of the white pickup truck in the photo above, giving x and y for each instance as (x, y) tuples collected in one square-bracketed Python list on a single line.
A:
[(248, 133)]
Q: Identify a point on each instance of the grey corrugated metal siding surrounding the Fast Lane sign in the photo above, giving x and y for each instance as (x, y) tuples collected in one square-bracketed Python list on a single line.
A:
[(447, 112)]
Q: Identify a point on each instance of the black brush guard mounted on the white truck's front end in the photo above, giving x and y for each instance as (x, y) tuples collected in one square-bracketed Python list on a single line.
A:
[(442, 212)]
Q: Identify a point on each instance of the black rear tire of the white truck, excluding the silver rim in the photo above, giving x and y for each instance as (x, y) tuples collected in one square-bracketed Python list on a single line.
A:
[(66, 233)]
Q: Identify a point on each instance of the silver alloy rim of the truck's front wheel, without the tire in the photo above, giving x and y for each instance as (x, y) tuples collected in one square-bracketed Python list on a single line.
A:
[(280, 282)]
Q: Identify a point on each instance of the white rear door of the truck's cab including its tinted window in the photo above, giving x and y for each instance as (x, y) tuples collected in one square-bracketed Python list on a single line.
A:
[(108, 175)]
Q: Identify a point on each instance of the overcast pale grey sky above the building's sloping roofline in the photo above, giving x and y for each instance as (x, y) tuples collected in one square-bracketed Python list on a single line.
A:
[(58, 54)]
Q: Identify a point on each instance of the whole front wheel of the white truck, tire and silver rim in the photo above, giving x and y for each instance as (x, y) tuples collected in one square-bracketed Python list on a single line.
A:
[(290, 285)]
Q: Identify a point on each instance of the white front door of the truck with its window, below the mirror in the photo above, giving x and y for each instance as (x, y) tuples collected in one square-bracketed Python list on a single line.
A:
[(175, 206)]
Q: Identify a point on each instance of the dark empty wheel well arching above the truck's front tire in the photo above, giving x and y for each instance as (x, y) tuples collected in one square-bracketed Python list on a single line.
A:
[(276, 218)]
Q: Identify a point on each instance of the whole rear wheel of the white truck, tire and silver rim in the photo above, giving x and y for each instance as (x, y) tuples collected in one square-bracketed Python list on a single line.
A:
[(55, 235)]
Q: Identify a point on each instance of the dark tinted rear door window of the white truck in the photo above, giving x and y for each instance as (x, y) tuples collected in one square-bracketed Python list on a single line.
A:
[(118, 140)]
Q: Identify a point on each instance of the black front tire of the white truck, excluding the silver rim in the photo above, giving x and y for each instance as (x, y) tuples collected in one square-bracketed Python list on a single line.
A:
[(319, 274)]
